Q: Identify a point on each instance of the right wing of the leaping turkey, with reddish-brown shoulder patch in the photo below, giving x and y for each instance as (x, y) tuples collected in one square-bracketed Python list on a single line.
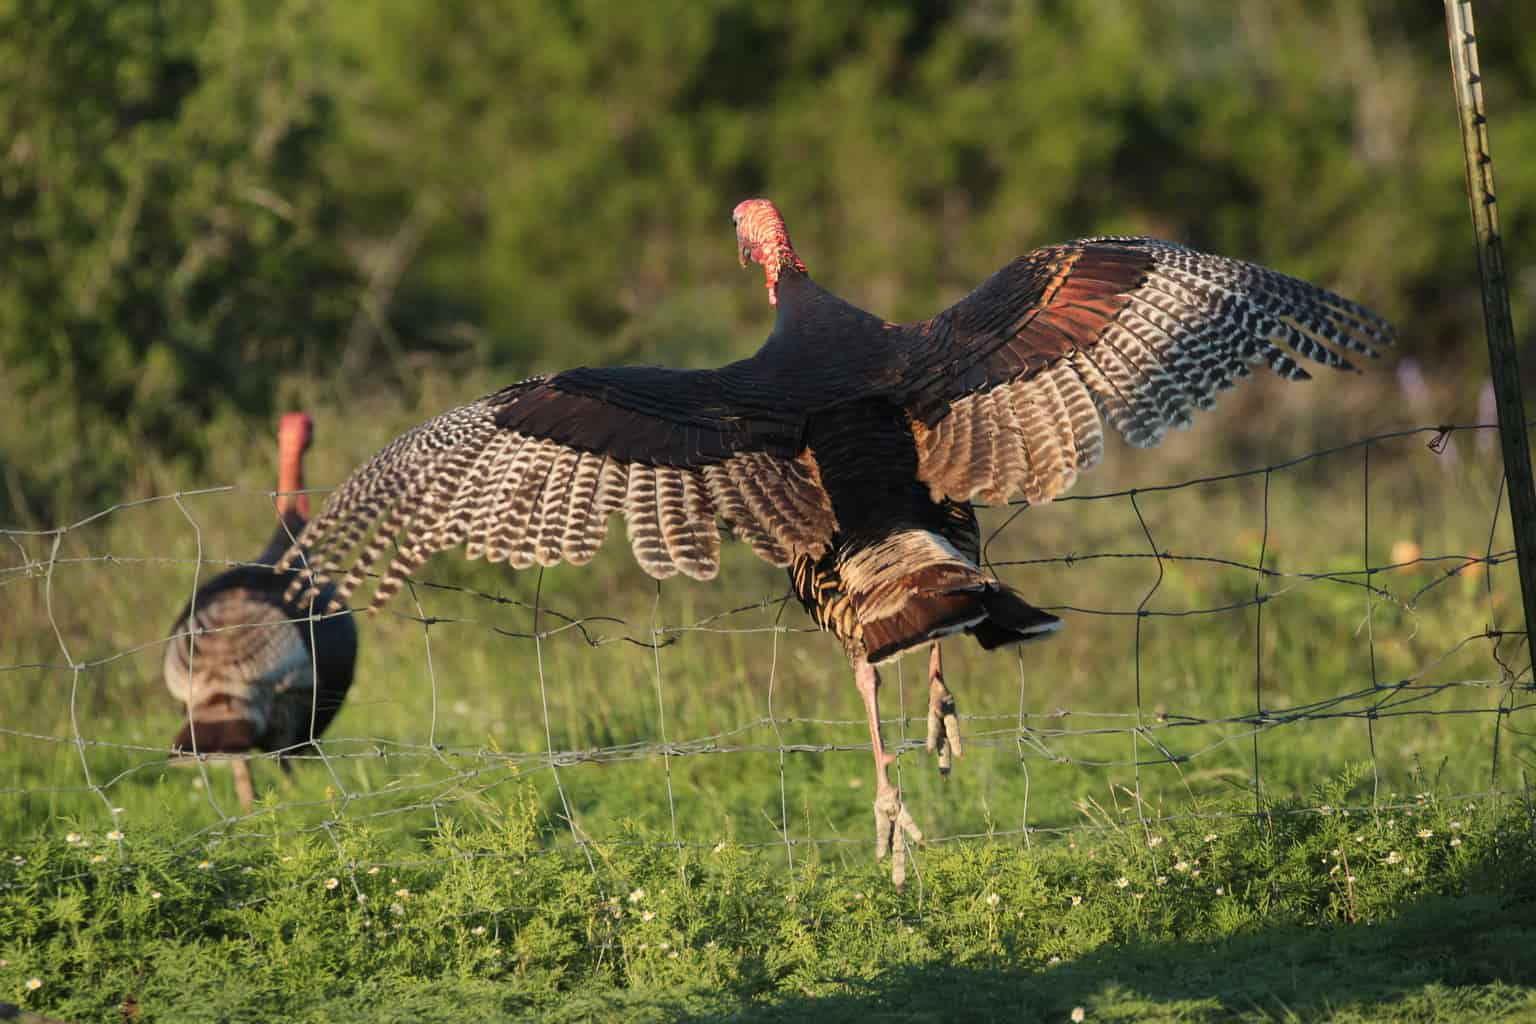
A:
[(1008, 386)]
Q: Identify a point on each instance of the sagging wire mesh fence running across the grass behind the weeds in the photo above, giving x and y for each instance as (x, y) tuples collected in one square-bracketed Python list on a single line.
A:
[(1243, 633)]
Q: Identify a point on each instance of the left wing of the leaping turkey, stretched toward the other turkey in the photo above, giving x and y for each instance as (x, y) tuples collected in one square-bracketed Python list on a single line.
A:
[(534, 474)]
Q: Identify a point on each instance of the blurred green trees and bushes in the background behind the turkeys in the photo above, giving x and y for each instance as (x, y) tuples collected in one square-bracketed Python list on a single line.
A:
[(214, 208)]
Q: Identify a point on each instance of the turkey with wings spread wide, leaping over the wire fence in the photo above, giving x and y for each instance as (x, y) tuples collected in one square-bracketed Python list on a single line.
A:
[(849, 448)]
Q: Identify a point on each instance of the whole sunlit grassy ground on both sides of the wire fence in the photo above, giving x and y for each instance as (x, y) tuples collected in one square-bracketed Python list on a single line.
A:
[(744, 730)]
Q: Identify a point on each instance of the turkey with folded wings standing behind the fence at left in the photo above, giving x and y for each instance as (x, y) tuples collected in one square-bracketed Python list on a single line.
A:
[(251, 667)]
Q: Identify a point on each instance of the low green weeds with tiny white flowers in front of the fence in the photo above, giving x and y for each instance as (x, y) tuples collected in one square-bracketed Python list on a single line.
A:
[(1422, 911)]
